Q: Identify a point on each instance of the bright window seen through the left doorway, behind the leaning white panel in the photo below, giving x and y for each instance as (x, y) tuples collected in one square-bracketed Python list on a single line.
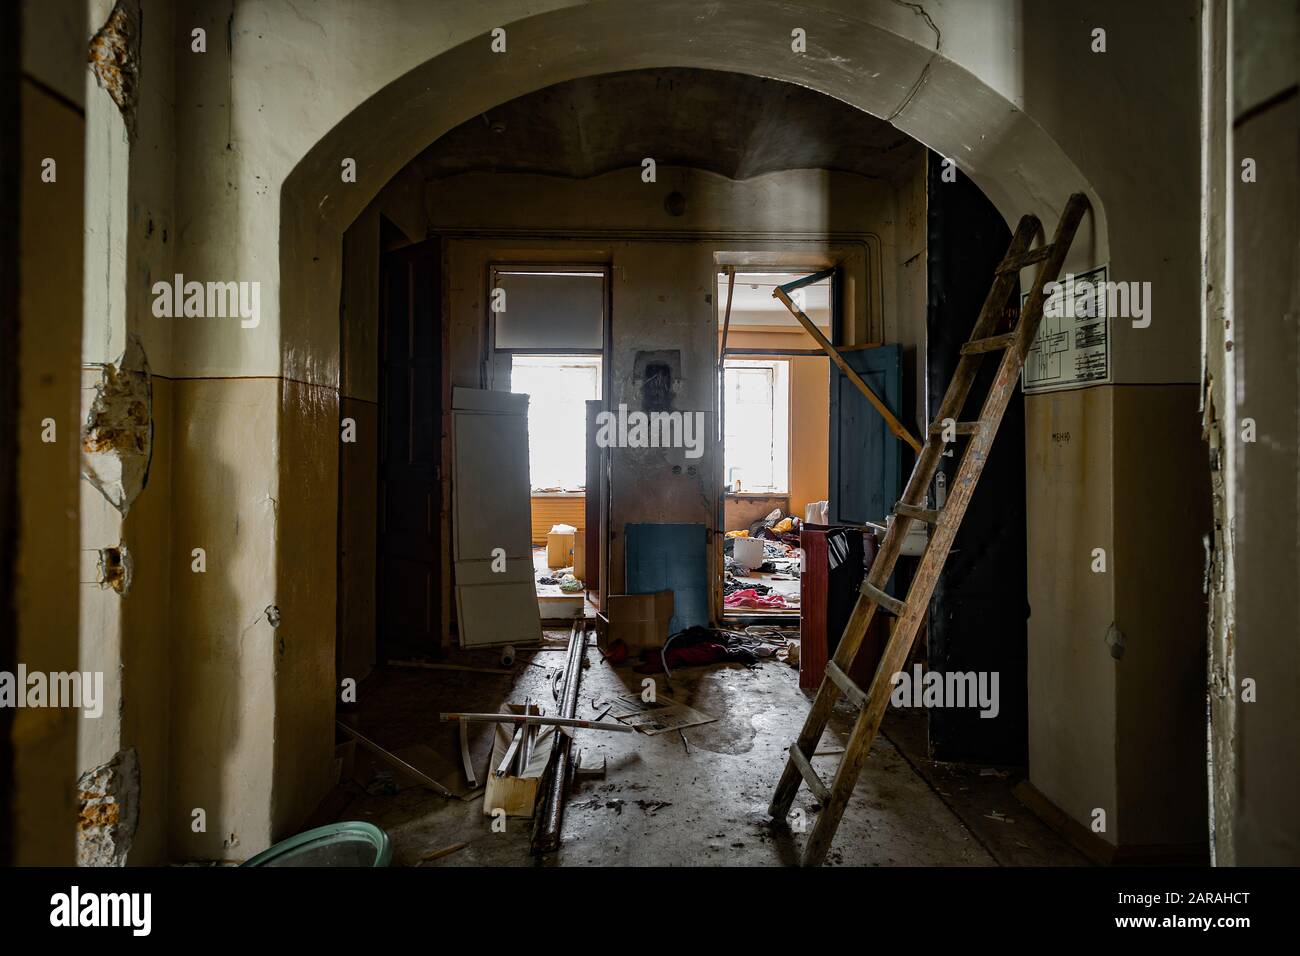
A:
[(558, 390)]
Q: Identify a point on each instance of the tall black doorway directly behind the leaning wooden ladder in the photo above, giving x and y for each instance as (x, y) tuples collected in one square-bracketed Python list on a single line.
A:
[(978, 613)]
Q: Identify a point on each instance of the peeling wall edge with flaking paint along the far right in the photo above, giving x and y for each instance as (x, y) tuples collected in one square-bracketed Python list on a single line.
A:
[(1253, 301)]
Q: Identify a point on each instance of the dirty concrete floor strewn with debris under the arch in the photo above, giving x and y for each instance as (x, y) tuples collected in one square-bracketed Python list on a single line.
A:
[(668, 802)]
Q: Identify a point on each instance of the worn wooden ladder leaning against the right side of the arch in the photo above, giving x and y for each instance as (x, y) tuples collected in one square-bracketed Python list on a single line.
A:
[(872, 704)]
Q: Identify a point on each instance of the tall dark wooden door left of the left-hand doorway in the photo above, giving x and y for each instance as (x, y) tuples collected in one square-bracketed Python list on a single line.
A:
[(410, 547)]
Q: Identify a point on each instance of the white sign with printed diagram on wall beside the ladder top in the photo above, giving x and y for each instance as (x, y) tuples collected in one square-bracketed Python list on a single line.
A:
[(1073, 344)]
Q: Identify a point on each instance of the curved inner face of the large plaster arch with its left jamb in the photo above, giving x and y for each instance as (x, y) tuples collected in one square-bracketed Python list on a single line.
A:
[(886, 63)]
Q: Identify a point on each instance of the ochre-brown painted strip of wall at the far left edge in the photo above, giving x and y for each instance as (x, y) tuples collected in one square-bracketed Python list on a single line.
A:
[(46, 572)]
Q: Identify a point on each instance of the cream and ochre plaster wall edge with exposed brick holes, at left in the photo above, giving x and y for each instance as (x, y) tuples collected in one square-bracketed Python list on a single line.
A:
[(129, 243)]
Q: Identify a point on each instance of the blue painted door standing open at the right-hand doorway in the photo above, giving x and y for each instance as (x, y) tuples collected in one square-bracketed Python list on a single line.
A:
[(865, 457)]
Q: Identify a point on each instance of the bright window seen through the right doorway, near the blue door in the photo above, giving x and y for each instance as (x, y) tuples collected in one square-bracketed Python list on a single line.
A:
[(757, 449)]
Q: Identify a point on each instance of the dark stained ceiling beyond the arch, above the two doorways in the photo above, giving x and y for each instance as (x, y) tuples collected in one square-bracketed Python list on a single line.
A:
[(733, 124)]
